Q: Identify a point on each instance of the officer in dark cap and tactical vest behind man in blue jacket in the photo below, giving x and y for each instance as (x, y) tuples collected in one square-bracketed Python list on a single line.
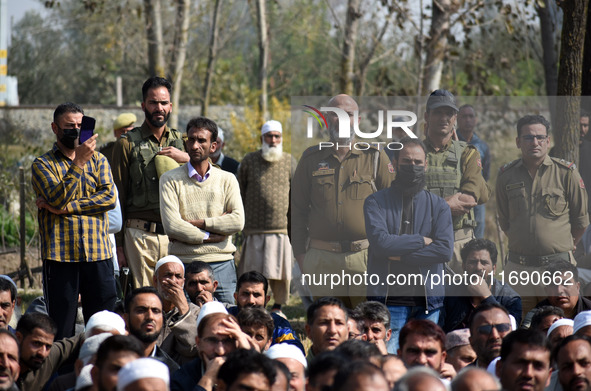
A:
[(455, 170)]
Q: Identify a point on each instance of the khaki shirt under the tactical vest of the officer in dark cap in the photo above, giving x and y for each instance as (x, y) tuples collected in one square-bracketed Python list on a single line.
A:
[(472, 181)]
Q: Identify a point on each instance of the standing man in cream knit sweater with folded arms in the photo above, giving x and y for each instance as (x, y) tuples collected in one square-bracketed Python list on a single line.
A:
[(201, 208)]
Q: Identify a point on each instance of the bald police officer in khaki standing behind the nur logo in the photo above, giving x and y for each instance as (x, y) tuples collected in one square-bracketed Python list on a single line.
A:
[(328, 191)]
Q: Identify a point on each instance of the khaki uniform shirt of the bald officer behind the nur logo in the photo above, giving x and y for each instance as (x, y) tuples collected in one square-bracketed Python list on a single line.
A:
[(328, 195)]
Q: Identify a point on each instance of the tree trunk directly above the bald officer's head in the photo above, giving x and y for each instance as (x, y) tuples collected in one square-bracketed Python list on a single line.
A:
[(348, 55)]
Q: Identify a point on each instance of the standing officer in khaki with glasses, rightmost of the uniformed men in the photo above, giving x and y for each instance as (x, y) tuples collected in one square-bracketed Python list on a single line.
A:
[(542, 207)]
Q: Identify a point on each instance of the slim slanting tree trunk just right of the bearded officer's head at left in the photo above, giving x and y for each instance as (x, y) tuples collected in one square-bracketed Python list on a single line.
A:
[(179, 54)]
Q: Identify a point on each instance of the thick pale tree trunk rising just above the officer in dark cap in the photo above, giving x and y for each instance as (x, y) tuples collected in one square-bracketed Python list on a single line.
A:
[(437, 43)]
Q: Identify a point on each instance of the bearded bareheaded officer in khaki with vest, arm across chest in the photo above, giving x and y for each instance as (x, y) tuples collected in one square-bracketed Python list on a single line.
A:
[(136, 156)]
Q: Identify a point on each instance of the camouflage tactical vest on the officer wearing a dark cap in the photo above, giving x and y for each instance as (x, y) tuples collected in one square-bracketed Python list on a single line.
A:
[(443, 177)]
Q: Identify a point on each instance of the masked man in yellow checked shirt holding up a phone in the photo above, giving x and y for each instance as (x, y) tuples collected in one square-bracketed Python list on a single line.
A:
[(74, 190)]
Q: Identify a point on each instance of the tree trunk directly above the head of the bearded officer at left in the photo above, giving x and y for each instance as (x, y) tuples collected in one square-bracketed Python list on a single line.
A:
[(155, 40)]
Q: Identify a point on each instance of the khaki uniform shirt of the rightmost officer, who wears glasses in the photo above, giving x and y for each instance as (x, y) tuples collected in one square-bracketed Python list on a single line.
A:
[(537, 214)]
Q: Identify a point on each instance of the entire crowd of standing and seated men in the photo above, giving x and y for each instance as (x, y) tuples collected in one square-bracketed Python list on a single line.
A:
[(172, 203)]
